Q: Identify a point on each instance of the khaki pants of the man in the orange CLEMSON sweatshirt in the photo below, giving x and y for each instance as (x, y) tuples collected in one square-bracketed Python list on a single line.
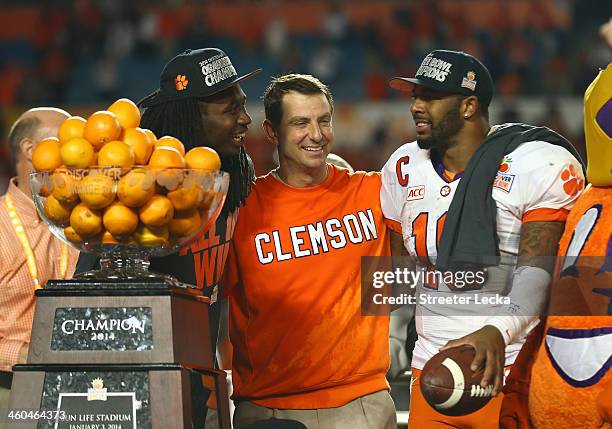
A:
[(373, 411)]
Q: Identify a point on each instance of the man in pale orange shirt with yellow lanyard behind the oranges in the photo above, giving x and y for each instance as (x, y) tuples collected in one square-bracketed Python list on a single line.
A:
[(23, 233)]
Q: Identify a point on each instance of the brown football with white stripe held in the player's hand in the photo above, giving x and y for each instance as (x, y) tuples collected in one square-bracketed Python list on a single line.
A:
[(450, 386)]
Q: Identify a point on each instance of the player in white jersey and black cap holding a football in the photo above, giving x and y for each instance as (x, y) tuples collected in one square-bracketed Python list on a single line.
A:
[(511, 187)]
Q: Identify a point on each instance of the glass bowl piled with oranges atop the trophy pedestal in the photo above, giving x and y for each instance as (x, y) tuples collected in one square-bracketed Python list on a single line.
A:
[(109, 187)]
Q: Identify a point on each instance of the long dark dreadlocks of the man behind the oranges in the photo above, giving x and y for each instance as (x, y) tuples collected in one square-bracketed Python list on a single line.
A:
[(181, 119)]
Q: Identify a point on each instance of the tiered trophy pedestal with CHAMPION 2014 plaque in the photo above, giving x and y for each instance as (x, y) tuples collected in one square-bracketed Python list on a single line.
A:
[(115, 356)]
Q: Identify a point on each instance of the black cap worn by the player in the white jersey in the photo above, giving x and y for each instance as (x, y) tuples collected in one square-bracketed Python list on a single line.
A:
[(450, 71)]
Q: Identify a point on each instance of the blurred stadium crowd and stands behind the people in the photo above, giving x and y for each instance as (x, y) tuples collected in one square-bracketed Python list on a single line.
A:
[(81, 55)]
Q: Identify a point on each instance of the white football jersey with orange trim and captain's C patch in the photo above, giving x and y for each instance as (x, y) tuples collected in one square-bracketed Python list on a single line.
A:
[(536, 182)]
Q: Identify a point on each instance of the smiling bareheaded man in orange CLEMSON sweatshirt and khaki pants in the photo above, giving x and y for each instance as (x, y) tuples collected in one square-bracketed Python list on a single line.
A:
[(302, 348)]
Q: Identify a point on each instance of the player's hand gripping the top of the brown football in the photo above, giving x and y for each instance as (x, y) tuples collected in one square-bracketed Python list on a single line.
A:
[(490, 354)]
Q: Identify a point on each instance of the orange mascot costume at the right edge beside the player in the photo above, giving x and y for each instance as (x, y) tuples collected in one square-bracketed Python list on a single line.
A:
[(562, 377)]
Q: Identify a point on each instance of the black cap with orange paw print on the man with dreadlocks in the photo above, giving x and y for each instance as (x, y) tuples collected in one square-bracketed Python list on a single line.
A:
[(194, 74)]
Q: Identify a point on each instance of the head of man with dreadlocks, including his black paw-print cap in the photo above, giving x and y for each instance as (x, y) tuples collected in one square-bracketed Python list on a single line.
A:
[(200, 102)]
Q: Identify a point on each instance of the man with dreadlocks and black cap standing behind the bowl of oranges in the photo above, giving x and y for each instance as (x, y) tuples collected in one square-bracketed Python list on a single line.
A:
[(200, 102)]
